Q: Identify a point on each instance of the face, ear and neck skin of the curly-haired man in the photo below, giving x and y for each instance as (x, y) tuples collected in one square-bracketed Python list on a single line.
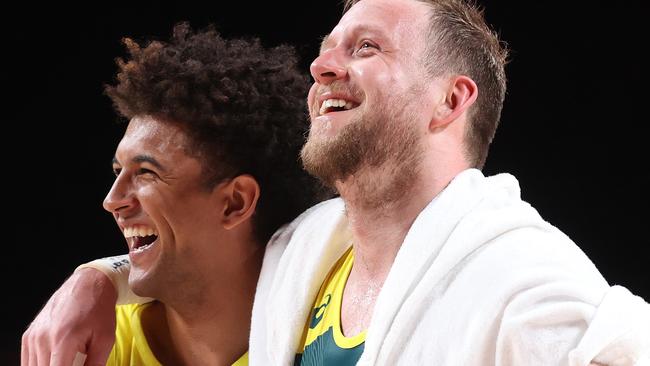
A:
[(203, 265)]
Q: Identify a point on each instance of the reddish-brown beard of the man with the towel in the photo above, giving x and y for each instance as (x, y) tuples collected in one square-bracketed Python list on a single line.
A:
[(381, 151)]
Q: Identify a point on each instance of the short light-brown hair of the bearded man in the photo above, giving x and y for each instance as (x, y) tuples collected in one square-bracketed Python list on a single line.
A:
[(461, 42)]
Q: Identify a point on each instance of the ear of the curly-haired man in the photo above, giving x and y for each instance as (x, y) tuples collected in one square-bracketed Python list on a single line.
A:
[(240, 200)]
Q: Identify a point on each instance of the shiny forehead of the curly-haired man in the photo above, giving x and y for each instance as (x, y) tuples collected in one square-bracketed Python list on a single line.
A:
[(146, 133)]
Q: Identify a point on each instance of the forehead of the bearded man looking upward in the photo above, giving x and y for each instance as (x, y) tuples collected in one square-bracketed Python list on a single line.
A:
[(399, 20)]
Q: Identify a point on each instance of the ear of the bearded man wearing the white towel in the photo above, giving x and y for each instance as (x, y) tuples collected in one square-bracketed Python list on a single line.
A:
[(460, 94)]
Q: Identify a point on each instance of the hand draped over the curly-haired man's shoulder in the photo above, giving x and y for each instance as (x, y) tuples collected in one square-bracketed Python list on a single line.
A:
[(79, 317)]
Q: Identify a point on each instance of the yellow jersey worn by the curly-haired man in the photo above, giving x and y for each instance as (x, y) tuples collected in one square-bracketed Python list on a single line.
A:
[(131, 347)]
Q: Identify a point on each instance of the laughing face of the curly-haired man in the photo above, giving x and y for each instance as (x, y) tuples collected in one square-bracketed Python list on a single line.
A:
[(159, 201)]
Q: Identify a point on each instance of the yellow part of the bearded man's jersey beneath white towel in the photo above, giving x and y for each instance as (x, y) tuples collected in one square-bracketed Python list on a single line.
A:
[(327, 308)]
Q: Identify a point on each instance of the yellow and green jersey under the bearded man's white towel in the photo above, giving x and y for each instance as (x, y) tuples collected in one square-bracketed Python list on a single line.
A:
[(323, 342)]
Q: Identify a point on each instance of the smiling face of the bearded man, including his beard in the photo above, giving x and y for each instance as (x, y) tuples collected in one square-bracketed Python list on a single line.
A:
[(371, 100)]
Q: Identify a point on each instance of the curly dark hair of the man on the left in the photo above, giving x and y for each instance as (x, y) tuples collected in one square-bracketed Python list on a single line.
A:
[(242, 106)]
